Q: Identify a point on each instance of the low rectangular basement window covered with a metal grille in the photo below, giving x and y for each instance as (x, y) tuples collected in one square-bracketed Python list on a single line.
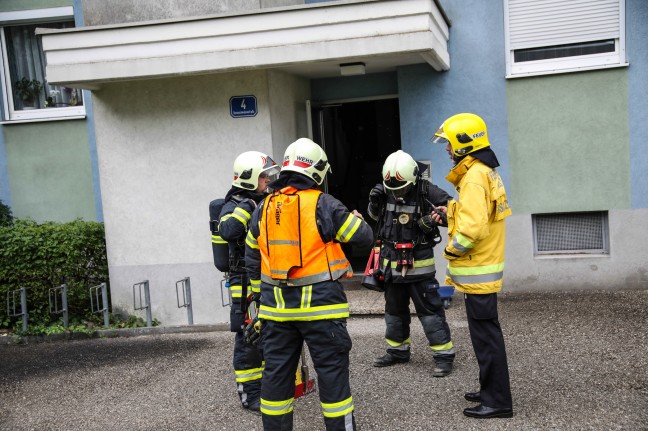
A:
[(571, 233)]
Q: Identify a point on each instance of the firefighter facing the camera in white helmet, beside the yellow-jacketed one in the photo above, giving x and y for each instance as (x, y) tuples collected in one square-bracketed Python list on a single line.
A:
[(402, 207)]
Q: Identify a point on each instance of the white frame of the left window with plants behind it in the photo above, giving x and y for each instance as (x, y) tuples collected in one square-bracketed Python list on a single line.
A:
[(10, 114)]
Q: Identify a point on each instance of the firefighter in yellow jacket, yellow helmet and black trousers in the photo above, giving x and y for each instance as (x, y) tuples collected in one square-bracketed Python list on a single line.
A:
[(475, 254)]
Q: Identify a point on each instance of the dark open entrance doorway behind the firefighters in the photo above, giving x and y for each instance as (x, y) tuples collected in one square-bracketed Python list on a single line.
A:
[(357, 137)]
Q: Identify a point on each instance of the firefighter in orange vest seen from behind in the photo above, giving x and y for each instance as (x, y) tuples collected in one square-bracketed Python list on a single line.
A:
[(293, 246)]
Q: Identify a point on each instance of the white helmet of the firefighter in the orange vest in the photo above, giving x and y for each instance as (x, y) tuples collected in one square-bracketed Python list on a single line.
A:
[(308, 158)]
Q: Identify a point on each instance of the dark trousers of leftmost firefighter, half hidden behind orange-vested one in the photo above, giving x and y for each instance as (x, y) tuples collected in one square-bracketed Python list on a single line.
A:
[(248, 368)]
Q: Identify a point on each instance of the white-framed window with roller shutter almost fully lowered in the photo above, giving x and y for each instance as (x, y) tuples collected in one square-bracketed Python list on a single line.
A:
[(550, 36)]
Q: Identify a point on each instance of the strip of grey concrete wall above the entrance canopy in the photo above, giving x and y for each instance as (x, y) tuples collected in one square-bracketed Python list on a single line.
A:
[(100, 12)]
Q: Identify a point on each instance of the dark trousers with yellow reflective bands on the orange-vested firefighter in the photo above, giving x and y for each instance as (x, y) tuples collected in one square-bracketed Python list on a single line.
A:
[(329, 344)]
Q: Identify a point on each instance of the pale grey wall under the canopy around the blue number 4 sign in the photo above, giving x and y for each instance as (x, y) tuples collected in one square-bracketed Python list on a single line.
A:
[(166, 149)]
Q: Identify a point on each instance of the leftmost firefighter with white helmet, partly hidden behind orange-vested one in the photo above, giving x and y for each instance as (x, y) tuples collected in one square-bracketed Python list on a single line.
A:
[(252, 174)]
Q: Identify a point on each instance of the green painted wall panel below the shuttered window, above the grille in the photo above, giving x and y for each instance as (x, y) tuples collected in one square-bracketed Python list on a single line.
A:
[(567, 132)]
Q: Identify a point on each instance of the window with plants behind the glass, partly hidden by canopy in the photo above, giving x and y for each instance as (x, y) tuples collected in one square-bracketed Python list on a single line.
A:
[(26, 93)]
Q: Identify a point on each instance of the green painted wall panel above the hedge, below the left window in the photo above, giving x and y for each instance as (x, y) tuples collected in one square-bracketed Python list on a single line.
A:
[(50, 171)]
